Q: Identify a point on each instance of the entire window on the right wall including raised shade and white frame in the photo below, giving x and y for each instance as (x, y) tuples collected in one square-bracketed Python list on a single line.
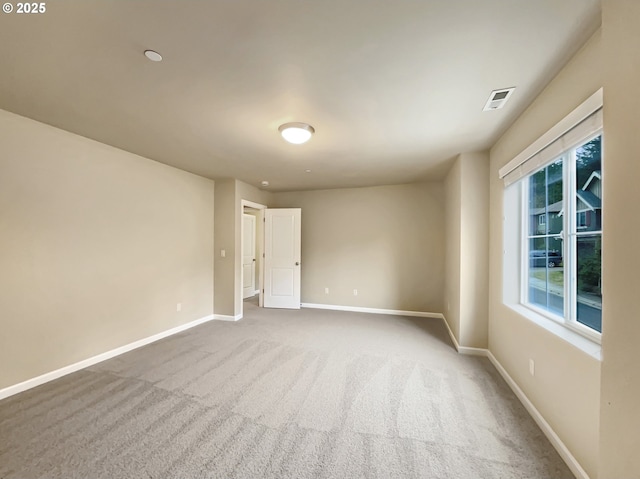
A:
[(553, 225)]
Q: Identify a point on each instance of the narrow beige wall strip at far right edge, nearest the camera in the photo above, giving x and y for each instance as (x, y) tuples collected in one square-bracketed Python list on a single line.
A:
[(620, 415)]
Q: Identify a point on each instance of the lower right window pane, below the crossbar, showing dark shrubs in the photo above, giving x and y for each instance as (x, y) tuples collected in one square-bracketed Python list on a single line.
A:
[(589, 299)]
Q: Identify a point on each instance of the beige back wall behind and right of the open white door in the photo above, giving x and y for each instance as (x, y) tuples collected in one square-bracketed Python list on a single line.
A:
[(385, 241)]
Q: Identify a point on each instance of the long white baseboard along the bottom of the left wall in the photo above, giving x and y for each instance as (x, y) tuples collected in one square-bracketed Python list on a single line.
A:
[(50, 376)]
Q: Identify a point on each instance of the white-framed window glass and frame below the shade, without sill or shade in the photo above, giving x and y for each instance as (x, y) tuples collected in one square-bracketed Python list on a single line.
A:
[(563, 274)]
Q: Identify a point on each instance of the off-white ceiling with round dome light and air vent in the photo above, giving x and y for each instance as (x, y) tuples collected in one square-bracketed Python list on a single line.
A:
[(394, 88)]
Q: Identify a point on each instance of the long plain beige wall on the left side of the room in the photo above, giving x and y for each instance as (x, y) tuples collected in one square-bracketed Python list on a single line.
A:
[(97, 247)]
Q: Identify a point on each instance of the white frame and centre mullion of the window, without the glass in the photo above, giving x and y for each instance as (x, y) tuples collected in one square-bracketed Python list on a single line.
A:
[(569, 235)]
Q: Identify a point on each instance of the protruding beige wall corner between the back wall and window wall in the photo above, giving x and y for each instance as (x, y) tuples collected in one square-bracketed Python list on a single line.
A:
[(467, 239)]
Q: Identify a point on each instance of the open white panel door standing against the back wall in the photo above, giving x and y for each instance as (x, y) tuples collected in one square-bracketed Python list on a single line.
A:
[(282, 258)]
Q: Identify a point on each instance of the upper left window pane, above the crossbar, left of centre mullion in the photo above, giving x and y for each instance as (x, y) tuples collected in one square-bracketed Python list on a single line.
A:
[(545, 200)]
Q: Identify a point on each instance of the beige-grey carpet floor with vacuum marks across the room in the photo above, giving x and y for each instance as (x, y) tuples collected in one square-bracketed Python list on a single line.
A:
[(280, 394)]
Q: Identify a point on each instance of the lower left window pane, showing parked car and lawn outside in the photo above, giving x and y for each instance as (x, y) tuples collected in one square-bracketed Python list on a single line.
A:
[(546, 275)]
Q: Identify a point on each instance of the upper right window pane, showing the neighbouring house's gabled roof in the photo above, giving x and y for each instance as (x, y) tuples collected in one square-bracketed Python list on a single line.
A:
[(589, 186)]
